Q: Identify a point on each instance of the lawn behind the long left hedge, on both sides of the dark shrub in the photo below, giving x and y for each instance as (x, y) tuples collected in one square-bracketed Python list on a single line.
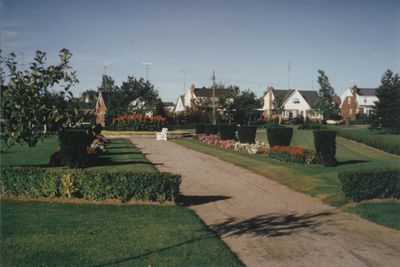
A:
[(120, 154)]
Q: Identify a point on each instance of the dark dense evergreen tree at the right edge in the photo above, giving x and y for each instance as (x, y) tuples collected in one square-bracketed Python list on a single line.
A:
[(387, 108)]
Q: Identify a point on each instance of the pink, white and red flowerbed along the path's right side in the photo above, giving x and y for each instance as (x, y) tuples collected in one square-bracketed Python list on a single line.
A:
[(290, 154)]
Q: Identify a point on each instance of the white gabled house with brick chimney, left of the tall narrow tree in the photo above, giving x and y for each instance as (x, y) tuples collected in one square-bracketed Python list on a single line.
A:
[(295, 103)]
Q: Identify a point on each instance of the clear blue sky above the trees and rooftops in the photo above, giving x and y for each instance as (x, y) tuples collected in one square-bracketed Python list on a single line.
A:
[(248, 43)]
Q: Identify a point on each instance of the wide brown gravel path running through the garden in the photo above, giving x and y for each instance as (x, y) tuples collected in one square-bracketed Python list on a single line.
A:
[(266, 223)]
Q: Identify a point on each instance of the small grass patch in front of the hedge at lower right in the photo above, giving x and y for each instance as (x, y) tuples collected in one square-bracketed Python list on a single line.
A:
[(387, 213)]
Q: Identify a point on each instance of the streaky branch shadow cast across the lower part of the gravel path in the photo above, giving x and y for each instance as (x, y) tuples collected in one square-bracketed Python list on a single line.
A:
[(273, 225)]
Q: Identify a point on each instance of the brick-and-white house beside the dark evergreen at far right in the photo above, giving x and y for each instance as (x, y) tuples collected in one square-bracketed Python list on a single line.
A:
[(357, 101)]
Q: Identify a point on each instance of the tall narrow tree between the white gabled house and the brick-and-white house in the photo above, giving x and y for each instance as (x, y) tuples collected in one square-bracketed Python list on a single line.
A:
[(326, 104)]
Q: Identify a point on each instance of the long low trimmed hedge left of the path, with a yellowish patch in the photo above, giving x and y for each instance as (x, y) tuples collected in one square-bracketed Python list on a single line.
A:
[(92, 185)]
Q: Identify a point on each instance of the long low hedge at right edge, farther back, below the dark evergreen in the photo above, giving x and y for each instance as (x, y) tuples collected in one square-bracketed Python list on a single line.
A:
[(371, 139)]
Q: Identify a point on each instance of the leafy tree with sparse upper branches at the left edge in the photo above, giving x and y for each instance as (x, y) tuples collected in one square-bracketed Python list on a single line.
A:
[(27, 106)]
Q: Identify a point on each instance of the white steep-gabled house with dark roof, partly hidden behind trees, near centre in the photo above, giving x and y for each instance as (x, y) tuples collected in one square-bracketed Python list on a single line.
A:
[(188, 100)]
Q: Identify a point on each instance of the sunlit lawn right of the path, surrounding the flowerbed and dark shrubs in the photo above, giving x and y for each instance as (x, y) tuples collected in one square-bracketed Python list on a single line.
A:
[(315, 180)]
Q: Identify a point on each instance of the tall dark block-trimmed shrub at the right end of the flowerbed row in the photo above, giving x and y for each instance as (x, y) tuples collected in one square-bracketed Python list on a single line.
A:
[(325, 147)]
